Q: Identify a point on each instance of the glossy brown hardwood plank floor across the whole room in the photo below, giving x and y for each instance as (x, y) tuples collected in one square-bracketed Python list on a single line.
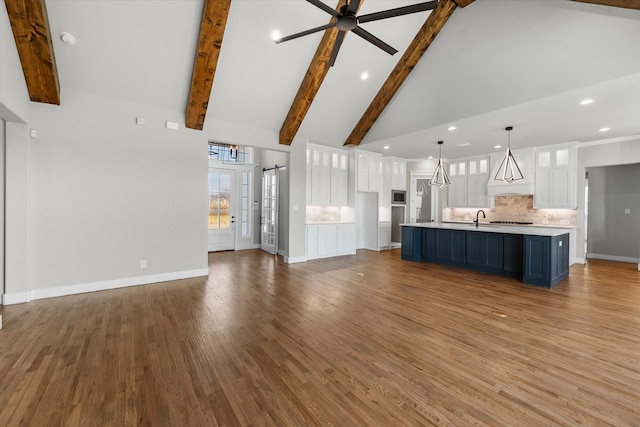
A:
[(365, 340)]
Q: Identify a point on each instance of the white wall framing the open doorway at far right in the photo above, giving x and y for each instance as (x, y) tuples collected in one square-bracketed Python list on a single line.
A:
[(602, 154)]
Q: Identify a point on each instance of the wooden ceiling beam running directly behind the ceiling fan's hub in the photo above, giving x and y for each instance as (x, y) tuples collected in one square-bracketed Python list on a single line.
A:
[(317, 71)]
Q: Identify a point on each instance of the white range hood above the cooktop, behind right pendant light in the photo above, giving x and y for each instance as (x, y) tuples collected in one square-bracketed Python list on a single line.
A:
[(524, 158)]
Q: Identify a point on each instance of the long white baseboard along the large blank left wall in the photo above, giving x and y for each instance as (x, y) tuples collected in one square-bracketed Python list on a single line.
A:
[(60, 291)]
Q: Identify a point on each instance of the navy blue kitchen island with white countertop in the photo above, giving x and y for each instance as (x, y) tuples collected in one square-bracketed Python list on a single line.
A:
[(536, 255)]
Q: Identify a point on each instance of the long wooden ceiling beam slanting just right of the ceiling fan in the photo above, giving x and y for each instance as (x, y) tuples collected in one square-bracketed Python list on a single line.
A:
[(403, 68)]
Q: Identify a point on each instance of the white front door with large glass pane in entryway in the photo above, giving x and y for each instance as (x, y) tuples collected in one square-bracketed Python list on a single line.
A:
[(221, 210)]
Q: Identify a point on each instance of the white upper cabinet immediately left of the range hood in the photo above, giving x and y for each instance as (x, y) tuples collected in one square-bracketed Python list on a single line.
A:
[(469, 182)]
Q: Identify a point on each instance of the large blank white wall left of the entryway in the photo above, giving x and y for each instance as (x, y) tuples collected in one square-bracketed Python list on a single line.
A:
[(106, 193)]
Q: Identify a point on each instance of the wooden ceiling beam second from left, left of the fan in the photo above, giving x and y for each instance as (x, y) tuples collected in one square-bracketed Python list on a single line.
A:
[(212, 25)]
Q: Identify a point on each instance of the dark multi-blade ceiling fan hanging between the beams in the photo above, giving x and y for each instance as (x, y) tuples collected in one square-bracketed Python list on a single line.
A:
[(346, 20)]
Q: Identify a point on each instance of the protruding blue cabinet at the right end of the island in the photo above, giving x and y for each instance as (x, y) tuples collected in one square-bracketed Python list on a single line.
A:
[(546, 260)]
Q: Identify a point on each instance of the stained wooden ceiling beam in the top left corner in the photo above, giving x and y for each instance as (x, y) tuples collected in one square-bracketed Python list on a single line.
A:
[(31, 31)]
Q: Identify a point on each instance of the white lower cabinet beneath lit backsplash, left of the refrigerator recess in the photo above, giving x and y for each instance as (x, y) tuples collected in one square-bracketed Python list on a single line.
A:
[(328, 240)]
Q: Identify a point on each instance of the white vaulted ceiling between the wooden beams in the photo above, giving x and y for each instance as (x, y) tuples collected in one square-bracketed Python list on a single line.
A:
[(496, 63)]
